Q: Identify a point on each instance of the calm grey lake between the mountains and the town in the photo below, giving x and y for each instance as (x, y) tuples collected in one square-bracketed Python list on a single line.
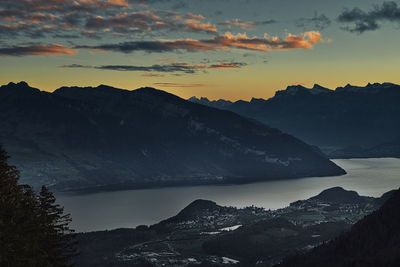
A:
[(110, 210)]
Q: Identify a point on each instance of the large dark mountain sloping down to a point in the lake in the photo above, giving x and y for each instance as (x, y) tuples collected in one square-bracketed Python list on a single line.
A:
[(107, 138)]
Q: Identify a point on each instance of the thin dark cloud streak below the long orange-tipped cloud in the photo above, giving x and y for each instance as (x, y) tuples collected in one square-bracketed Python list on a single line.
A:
[(178, 67)]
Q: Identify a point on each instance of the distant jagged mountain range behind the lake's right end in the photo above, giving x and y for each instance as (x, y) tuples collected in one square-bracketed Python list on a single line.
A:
[(355, 121)]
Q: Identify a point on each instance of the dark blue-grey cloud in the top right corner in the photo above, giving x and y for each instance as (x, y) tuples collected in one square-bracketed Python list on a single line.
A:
[(369, 21)]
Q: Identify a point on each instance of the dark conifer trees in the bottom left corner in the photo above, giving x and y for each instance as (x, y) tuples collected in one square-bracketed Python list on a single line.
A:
[(34, 231)]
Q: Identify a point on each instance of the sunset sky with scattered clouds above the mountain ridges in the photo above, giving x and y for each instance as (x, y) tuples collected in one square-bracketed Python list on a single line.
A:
[(231, 49)]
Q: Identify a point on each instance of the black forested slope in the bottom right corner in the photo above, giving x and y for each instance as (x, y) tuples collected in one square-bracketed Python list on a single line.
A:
[(373, 241)]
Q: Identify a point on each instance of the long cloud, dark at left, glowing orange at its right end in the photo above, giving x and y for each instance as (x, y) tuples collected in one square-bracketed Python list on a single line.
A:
[(222, 42)]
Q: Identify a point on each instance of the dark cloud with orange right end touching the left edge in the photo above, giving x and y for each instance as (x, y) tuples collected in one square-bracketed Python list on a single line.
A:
[(47, 50)]
